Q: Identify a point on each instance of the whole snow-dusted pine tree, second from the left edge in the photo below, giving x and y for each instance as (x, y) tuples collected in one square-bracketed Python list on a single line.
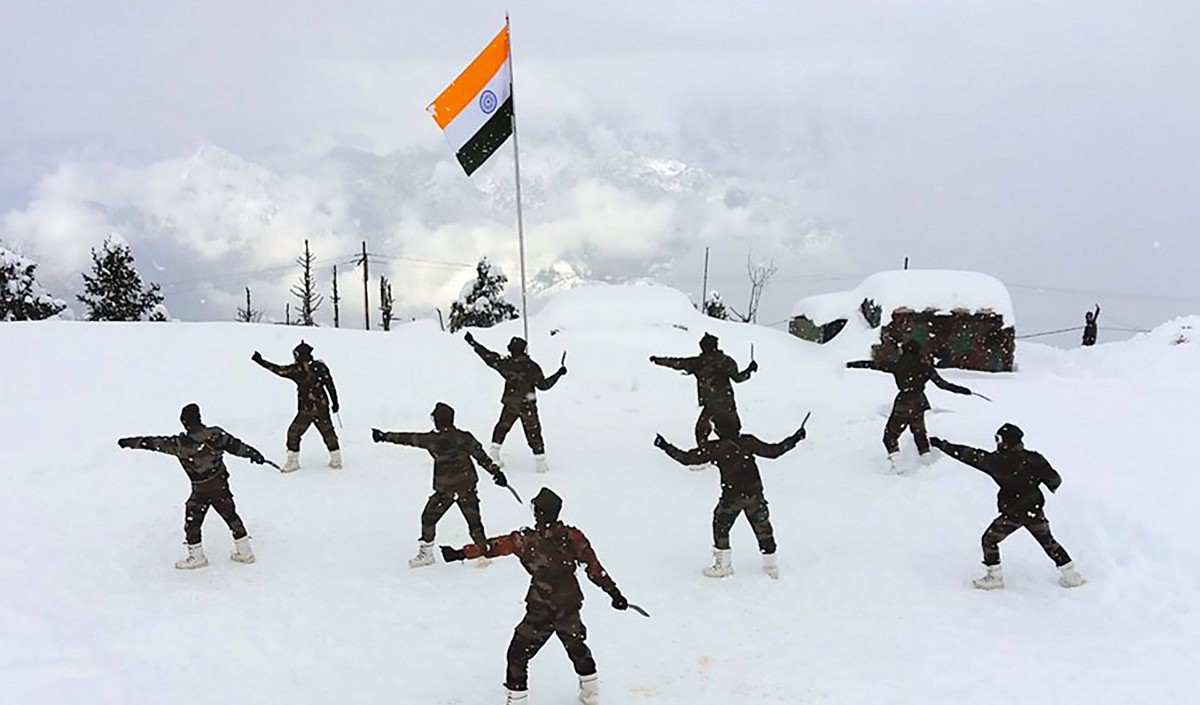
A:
[(115, 290)]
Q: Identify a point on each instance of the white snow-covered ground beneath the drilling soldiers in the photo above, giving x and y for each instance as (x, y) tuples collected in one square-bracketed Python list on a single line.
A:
[(874, 606)]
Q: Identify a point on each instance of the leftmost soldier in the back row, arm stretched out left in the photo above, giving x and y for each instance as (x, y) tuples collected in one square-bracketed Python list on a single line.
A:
[(316, 399)]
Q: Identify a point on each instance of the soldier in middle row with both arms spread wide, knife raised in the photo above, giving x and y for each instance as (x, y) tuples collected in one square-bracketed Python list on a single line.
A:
[(734, 454)]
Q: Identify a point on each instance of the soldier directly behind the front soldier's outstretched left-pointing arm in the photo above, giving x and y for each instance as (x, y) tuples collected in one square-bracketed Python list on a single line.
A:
[(454, 478)]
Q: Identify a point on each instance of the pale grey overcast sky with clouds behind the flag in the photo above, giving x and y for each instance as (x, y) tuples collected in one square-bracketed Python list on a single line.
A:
[(1055, 146)]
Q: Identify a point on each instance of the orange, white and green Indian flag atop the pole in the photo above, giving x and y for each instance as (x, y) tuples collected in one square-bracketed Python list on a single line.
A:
[(476, 111)]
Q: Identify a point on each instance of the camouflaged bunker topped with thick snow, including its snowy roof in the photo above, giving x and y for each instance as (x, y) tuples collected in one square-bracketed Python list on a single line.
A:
[(964, 320)]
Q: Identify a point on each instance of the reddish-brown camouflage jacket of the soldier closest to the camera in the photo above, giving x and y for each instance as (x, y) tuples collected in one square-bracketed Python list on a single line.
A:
[(550, 557)]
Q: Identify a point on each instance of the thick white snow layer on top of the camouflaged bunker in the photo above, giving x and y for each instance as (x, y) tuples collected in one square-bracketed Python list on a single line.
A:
[(945, 291)]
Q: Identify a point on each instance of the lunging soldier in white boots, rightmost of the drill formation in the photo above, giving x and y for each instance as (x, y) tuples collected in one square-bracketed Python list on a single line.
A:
[(1019, 473)]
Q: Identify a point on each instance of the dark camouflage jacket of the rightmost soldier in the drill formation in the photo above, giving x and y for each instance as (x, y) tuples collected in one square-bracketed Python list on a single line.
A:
[(1019, 473)]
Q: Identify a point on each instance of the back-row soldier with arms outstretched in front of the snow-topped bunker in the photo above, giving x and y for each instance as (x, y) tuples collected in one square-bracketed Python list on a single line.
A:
[(913, 372)]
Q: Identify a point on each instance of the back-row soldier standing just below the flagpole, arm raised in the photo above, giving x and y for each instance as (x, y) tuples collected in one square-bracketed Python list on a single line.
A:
[(523, 381)]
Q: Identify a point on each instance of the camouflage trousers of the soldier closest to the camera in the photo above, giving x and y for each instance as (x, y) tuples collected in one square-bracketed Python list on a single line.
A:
[(541, 622)]
